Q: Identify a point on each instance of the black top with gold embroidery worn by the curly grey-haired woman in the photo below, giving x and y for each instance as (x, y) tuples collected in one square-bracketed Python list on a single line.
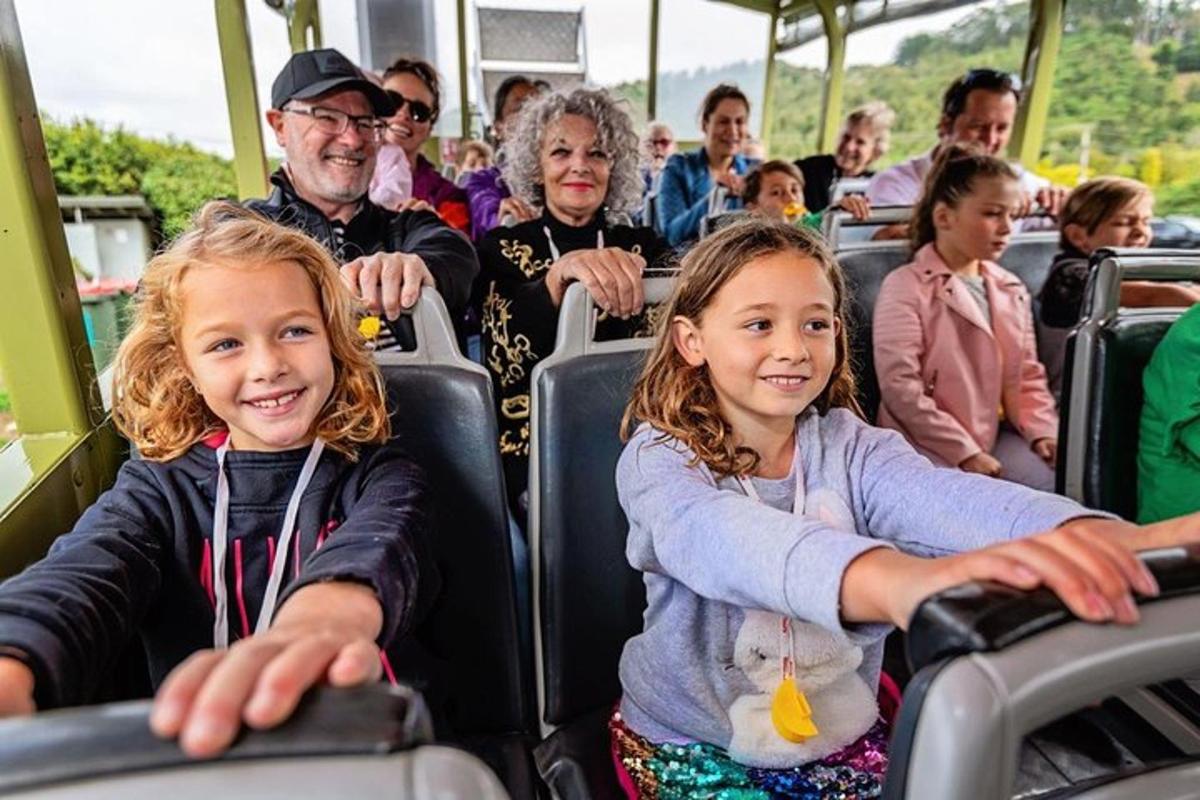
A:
[(520, 320)]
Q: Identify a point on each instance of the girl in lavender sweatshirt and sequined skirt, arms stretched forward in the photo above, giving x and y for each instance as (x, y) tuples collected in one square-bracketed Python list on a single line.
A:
[(782, 537)]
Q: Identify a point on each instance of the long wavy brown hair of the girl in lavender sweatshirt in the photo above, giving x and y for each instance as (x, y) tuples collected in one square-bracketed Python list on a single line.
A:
[(679, 399)]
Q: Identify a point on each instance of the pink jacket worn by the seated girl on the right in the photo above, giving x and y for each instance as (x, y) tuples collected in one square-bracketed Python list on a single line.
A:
[(945, 374)]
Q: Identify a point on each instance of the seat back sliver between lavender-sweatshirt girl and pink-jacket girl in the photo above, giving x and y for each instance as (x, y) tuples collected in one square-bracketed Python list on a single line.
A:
[(866, 267)]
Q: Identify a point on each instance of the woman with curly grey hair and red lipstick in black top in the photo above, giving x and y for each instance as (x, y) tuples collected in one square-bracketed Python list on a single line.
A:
[(573, 157)]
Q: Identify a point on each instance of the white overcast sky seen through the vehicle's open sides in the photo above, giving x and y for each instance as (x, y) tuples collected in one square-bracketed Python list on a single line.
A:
[(153, 67)]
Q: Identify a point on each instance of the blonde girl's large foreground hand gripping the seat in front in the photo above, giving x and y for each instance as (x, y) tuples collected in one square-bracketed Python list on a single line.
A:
[(325, 633)]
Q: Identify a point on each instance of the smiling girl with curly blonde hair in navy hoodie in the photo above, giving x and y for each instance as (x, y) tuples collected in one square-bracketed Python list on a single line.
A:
[(268, 537)]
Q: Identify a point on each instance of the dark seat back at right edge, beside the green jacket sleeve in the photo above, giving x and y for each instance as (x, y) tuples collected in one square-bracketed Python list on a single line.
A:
[(1101, 408)]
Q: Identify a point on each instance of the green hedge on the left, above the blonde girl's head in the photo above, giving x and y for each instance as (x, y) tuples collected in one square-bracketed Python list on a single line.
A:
[(176, 178)]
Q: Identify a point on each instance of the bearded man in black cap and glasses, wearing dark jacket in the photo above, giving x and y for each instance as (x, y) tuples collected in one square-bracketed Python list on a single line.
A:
[(327, 117)]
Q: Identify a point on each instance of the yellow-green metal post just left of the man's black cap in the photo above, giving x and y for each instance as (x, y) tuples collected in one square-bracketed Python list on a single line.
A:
[(238, 64)]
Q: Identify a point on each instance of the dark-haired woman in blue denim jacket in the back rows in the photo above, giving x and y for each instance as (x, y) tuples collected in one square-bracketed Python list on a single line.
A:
[(689, 177)]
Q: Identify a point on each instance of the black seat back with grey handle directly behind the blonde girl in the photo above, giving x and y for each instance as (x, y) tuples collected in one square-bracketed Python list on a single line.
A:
[(467, 658)]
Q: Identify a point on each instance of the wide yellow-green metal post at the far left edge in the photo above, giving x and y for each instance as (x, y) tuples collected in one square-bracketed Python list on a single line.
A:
[(44, 348)]
